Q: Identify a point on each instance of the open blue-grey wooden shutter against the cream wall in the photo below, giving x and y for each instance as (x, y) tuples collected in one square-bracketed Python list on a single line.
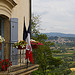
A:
[(14, 38)]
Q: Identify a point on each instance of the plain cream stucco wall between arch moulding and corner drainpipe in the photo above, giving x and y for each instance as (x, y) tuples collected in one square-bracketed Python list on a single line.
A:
[(19, 11)]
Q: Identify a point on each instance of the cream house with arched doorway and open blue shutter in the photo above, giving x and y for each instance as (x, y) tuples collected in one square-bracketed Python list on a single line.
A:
[(12, 13)]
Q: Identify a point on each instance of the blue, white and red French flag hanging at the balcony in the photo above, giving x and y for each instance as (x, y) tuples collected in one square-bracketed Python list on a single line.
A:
[(26, 37)]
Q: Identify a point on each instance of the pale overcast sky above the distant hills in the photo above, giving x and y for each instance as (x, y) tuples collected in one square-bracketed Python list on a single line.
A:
[(56, 15)]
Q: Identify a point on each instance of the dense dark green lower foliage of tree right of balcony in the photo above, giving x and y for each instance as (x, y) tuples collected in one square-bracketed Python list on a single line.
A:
[(45, 59)]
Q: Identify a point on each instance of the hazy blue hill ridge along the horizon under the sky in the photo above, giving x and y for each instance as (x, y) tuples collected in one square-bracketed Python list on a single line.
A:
[(59, 34)]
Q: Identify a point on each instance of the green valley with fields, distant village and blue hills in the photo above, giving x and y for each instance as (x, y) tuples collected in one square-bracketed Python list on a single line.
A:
[(64, 48)]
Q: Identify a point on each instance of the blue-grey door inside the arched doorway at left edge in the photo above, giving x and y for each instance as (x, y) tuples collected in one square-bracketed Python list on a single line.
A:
[(2, 35)]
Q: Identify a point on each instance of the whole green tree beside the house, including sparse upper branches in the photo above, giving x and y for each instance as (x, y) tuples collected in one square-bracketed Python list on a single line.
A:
[(44, 58)]
